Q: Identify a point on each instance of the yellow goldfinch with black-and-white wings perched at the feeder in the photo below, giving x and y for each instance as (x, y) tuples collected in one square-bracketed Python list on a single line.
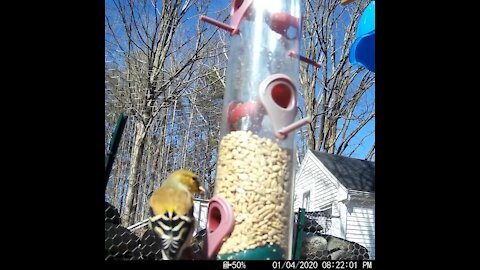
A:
[(172, 212)]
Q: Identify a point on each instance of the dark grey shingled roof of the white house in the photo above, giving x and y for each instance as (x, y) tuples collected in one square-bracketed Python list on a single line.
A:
[(354, 174)]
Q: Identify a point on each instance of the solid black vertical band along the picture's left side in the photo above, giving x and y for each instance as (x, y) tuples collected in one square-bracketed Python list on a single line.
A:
[(55, 111)]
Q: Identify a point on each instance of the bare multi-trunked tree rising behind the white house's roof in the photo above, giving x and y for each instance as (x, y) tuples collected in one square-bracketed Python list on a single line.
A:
[(336, 96)]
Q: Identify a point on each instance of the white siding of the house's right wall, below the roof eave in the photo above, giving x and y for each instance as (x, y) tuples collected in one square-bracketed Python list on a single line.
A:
[(361, 225)]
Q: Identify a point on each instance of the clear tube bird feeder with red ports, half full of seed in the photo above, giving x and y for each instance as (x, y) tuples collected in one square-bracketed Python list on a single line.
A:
[(250, 216)]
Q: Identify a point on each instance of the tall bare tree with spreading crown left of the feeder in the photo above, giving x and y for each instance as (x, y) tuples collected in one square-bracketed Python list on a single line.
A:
[(154, 68)]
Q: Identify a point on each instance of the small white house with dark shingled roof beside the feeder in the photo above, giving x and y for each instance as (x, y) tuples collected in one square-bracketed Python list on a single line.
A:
[(343, 187)]
